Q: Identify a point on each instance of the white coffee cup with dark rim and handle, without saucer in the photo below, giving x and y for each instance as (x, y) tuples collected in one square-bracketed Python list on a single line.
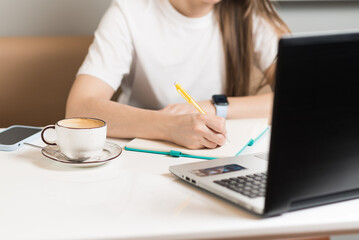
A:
[(78, 138)]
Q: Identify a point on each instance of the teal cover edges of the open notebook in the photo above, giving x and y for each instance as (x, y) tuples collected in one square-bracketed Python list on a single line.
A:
[(180, 154)]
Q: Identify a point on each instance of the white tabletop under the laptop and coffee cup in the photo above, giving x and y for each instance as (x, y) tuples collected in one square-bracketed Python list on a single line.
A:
[(135, 196)]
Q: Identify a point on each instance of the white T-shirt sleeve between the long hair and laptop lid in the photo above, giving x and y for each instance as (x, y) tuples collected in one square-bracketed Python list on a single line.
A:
[(265, 43)]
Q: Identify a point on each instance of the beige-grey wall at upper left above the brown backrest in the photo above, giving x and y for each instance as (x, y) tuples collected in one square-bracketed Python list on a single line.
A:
[(50, 17)]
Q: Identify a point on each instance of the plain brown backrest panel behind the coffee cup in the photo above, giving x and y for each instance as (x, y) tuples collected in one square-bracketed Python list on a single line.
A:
[(35, 77)]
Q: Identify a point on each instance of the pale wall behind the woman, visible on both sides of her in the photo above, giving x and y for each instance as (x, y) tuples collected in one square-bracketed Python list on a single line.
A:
[(80, 17)]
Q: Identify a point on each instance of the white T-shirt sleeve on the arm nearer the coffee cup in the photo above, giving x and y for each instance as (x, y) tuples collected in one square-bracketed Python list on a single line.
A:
[(110, 55)]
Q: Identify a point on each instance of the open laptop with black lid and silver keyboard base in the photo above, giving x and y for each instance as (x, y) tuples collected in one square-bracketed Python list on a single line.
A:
[(313, 157)]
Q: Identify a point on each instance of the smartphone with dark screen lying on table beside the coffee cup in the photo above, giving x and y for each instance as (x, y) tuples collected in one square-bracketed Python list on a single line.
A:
[(14, 137)]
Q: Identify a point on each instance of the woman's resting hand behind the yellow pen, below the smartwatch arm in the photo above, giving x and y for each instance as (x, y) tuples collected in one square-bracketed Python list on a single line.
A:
[(186, 108)]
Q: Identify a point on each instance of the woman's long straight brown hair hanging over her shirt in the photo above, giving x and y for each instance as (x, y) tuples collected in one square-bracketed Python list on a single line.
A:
[(235, 19)]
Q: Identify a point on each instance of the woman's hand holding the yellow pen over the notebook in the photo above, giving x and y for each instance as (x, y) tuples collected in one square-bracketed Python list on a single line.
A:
[(196, 131)]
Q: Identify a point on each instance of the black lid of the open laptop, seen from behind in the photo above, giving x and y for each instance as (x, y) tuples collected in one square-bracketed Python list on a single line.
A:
[(314, 152)]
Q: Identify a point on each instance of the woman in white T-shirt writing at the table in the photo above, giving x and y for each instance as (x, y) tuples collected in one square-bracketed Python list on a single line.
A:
[(210, 47)]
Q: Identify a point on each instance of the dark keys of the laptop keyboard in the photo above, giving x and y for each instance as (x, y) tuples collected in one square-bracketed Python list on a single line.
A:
[(252, 186)]
